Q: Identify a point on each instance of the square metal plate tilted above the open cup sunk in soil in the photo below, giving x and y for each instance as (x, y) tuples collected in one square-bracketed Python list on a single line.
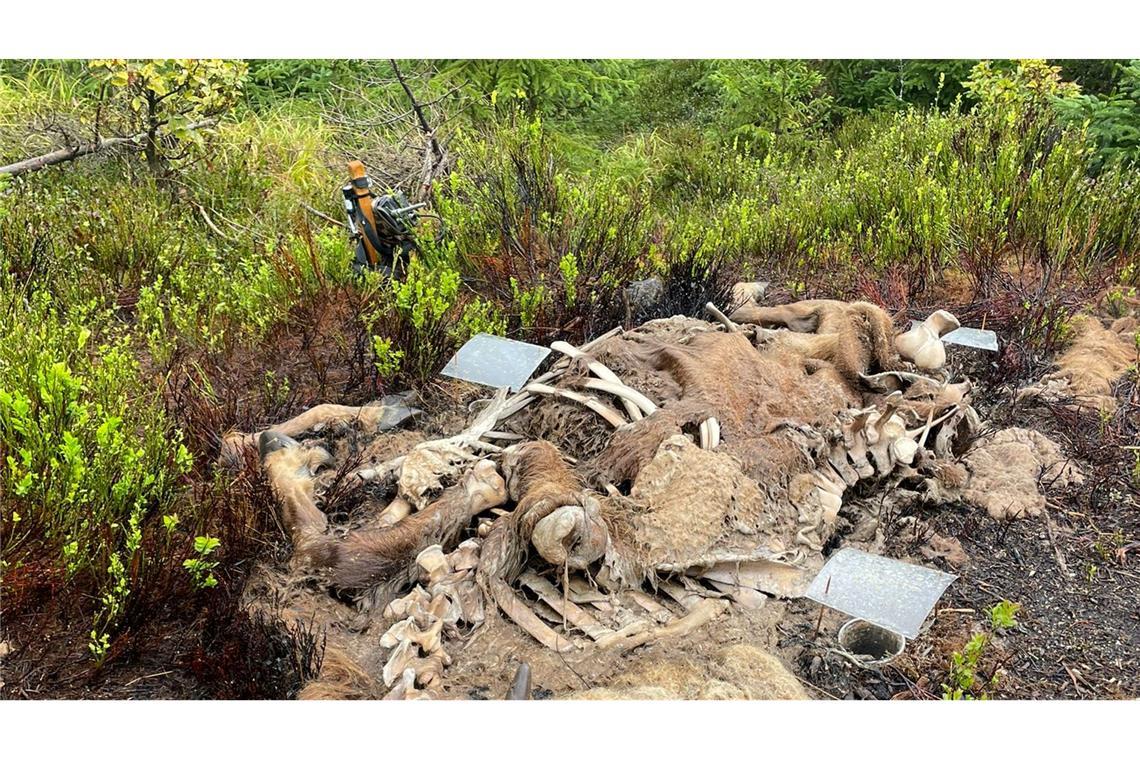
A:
[(889, 593)]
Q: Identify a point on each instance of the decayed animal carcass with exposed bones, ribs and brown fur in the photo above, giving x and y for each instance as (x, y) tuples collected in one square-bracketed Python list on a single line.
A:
[(711, 457)]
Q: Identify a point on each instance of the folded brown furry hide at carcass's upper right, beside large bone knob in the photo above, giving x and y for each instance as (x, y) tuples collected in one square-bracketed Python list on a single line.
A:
[(852, 338)]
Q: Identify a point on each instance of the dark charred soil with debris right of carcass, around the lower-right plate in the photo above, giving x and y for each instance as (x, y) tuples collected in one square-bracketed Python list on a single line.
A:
[(1074, 571)]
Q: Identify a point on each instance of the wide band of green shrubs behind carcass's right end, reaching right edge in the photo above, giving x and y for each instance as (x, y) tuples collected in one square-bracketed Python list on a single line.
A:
[(983, 192)]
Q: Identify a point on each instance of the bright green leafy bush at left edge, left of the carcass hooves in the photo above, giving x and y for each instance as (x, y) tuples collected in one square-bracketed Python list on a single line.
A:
[(88, 453)]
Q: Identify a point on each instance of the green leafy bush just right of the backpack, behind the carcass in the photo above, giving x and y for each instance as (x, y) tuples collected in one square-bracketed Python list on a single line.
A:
[(551, 249)]
